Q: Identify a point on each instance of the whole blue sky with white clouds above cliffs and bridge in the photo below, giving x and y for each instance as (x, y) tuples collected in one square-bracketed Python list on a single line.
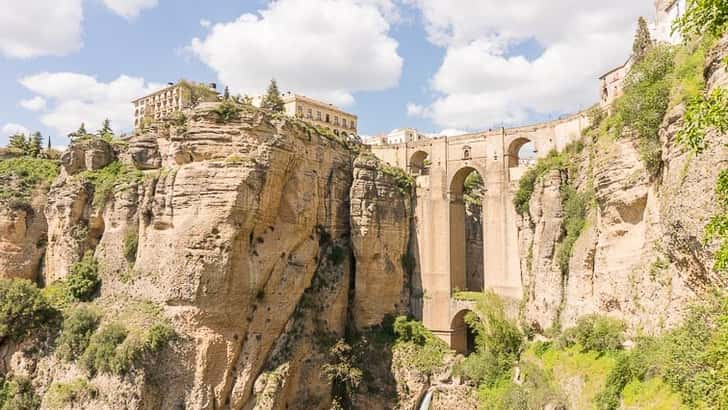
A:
[(441, 66)]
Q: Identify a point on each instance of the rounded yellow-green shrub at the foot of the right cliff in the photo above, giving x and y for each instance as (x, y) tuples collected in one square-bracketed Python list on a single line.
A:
[(596, 333)]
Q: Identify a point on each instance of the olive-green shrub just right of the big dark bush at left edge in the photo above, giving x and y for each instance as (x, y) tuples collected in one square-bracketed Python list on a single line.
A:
[(78, 328)]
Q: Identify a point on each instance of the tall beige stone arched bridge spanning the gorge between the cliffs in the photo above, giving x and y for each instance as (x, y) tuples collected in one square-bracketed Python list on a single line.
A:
[(440, 167)]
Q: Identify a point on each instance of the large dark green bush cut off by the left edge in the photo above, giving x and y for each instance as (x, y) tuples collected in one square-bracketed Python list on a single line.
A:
[(24, 310)]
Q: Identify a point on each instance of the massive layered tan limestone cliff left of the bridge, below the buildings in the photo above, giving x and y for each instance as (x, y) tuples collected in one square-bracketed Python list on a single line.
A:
[(249, 233)]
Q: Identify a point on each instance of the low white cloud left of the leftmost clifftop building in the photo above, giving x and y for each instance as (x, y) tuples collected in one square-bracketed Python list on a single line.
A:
[(76, 98)]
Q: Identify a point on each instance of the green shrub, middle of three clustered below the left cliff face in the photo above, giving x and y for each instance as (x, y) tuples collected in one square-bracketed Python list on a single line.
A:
[(99, 356)]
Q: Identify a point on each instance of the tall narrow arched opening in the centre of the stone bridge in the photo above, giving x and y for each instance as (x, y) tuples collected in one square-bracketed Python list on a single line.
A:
[(466, 231)]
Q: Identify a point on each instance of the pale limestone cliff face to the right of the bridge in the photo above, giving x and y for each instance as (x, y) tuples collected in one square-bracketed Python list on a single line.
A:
[(641, 255)]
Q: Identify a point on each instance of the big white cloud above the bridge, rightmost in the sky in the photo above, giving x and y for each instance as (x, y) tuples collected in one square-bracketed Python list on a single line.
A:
[(482, 82)]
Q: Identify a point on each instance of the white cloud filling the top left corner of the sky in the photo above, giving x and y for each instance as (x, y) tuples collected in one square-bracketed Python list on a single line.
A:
[(33, 28)]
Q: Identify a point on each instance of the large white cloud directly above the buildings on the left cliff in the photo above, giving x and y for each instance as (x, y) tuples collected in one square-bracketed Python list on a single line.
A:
[(323, 48)]
